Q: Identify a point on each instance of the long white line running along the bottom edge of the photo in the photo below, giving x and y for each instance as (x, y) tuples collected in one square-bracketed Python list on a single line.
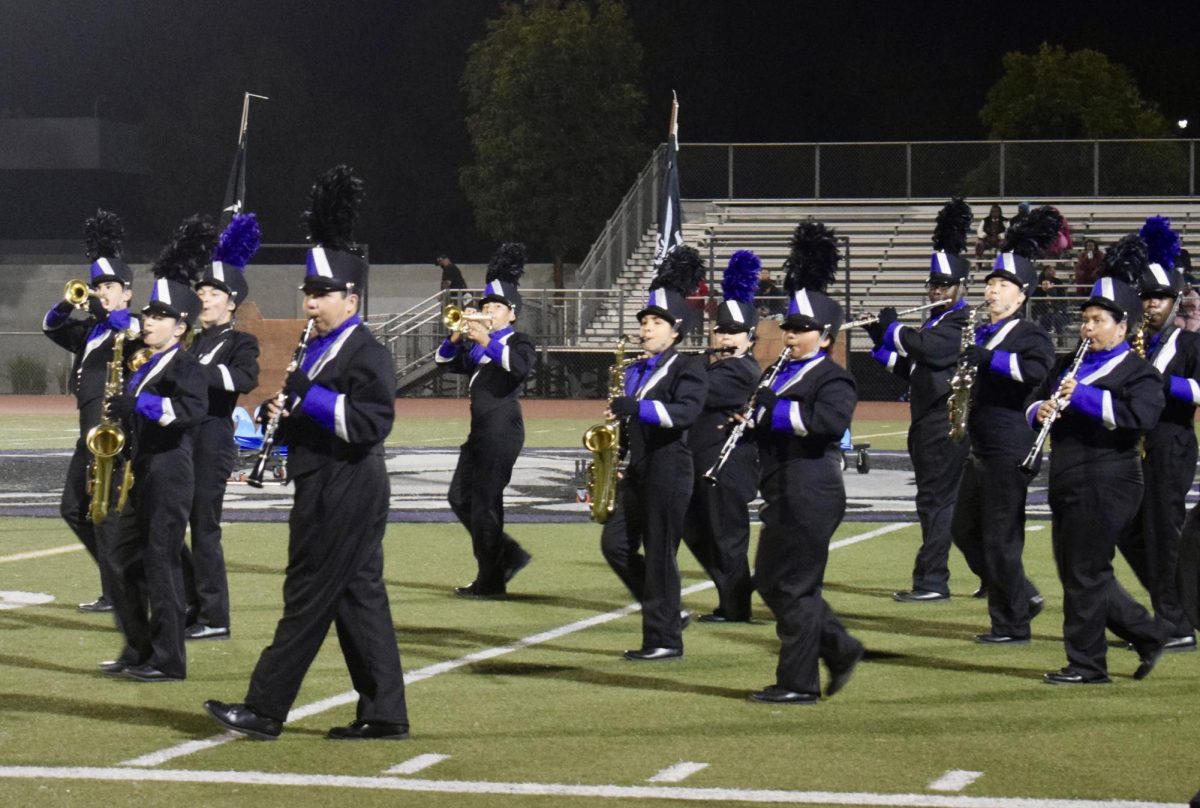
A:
[(777, 797)]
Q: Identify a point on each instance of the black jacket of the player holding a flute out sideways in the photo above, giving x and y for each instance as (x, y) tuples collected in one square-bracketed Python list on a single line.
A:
[(927, 357)]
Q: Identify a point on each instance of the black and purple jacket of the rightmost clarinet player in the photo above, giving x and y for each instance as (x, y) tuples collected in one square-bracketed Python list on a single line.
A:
[(1119, 397)]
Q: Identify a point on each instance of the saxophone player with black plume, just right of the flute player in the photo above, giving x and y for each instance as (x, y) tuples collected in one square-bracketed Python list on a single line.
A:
[(1012, 356)]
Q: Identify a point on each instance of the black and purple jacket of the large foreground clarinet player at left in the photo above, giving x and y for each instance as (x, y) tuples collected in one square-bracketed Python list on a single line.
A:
[(350, 410)]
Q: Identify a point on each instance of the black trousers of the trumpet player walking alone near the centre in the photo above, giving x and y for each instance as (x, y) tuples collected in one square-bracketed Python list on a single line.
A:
[(477, 492)]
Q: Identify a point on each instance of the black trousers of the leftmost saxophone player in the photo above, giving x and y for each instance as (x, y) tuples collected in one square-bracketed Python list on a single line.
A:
[(145, 561)]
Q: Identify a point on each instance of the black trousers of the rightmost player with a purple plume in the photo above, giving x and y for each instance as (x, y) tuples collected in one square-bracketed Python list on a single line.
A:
[(1153, 548)]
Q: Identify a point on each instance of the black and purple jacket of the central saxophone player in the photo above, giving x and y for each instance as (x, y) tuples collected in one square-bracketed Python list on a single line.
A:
[(671, 398)]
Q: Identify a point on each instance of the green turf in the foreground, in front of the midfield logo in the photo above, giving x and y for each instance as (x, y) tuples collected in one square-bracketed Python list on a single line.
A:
[(567, 711)]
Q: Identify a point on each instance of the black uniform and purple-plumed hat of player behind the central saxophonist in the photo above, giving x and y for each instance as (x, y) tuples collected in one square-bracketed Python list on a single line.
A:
[(717, 528)]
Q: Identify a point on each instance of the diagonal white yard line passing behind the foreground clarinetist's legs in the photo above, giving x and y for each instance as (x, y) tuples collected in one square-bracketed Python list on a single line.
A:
[(412, 678)]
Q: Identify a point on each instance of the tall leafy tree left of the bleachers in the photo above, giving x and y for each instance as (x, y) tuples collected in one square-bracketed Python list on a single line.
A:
[(554, 116)]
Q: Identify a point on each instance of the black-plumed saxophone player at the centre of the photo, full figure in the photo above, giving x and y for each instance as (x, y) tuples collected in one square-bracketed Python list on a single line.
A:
[(664, 397)]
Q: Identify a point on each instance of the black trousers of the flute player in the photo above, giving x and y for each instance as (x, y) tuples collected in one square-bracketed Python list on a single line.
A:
[(938, 465)]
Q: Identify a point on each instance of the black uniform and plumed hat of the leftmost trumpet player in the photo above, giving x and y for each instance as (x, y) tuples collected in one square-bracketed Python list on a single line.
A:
[(92, 343)]
